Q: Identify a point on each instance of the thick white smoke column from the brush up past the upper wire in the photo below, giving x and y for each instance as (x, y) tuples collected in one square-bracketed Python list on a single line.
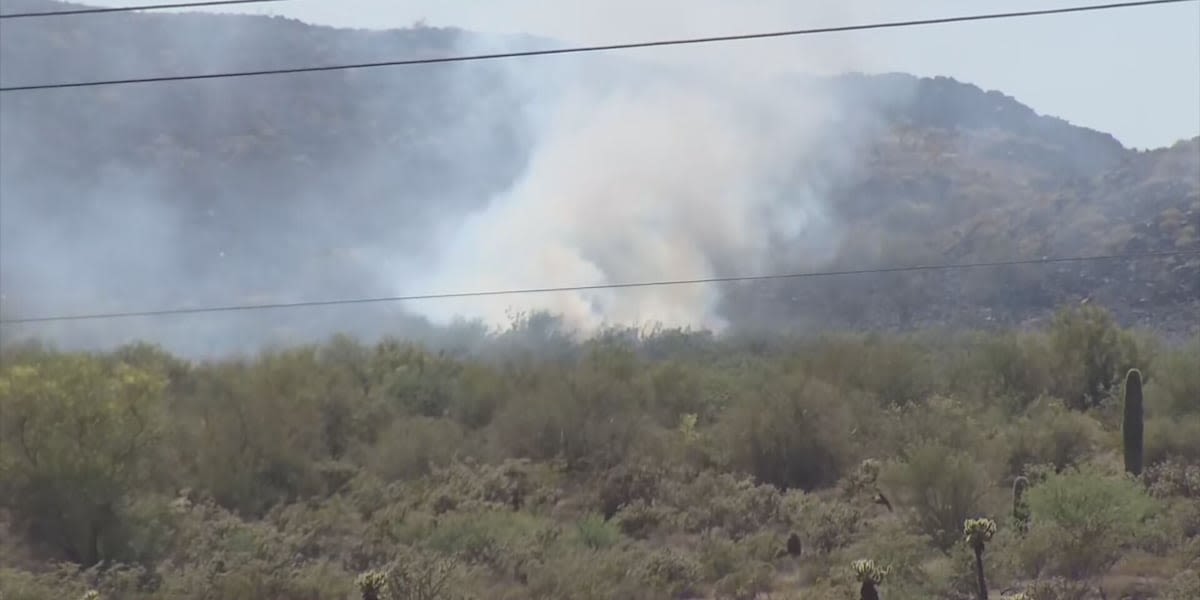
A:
[(653, 167)]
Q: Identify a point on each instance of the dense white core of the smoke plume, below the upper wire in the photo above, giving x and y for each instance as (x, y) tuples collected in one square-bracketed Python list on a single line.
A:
[(635, 181)]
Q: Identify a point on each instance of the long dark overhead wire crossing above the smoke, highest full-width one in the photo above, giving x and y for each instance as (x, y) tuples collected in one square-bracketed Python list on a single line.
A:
[(602, 49)]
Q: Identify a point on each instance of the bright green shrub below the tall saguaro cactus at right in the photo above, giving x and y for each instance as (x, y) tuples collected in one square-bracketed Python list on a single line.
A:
[(1083, 521)]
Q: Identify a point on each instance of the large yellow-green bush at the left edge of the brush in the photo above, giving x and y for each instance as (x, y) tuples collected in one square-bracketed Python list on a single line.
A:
[(80, 437)]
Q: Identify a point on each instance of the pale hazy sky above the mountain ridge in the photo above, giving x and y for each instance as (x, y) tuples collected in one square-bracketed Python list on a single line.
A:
[(1133, 73)]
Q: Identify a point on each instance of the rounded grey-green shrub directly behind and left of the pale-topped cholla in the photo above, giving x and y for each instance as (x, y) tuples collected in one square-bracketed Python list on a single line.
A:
[(943, 487)]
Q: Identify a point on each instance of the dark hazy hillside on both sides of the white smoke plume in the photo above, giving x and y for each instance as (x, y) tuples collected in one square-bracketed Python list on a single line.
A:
[(281, 176)]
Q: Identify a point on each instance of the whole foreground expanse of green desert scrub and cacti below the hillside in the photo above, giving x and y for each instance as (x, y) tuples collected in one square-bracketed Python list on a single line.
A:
[(670, 465)]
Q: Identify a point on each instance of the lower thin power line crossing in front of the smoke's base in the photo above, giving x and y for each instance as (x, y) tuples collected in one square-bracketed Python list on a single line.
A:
[(596, 287)]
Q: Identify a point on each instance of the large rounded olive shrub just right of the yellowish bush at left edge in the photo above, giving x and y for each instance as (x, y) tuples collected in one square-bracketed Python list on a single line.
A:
[(253, 434)]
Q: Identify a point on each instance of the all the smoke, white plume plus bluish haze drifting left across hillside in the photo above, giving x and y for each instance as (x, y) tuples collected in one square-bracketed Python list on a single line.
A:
[(569, 171)]
